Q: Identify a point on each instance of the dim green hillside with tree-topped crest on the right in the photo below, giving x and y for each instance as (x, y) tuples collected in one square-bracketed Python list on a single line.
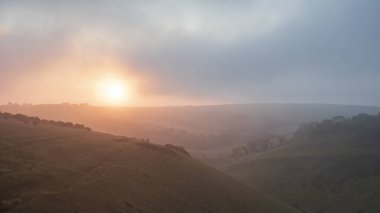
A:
[(330, 166)]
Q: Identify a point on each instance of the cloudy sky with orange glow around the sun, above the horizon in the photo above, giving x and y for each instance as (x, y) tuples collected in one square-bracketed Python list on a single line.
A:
[(191, 52)]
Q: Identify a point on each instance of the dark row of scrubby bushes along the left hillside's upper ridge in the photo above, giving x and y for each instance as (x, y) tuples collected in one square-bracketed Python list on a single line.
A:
[(36, 120)]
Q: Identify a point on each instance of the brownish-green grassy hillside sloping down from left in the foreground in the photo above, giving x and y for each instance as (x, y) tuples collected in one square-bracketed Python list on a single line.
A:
[(49, 168)]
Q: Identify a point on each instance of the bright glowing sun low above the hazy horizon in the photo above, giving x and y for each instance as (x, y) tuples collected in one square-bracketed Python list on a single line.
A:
[(114, 91)]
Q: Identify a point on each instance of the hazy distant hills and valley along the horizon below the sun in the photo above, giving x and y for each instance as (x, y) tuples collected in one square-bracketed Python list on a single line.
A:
[(194, 127)]
